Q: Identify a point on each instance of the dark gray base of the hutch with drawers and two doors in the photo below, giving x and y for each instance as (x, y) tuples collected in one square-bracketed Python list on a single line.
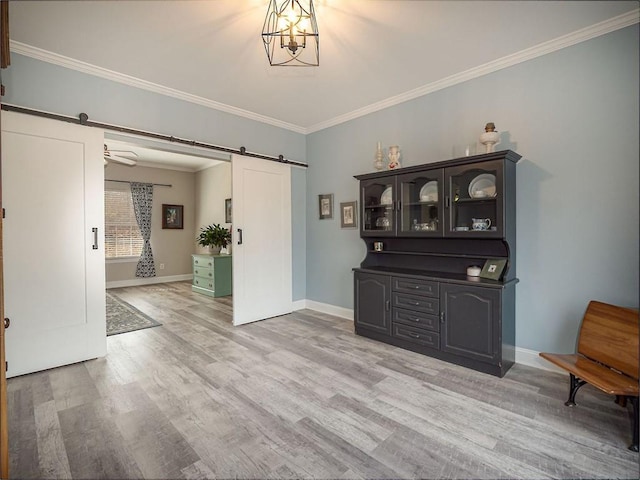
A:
[(465, 324)]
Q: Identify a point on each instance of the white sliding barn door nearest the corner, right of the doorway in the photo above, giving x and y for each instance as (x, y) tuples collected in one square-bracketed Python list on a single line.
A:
[(261, 239)]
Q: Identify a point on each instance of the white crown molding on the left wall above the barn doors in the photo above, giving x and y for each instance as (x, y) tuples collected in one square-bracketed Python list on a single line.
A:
[(61, 60)]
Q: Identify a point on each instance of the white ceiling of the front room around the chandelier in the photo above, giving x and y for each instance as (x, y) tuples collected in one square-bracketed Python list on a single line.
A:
[(372, 53)]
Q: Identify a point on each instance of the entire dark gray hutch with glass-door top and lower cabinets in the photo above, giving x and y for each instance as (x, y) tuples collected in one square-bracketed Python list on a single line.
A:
[(430, 222)]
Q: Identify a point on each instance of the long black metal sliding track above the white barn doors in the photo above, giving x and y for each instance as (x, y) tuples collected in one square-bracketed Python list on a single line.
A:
[(83, 119)]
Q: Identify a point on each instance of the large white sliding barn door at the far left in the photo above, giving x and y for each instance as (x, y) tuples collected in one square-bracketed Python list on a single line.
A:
[(53, 194)]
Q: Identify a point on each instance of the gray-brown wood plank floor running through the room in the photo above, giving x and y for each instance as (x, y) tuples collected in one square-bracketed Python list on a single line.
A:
[(298, 396)]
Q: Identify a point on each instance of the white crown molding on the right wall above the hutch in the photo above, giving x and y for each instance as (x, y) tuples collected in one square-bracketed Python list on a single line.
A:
[(582, 35)]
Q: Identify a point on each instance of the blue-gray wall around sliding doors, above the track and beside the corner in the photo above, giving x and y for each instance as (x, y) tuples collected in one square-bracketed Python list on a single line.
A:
[(40, 85)]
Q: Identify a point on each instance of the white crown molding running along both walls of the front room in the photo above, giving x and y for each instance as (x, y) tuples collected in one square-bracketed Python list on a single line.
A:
[(616, 23)]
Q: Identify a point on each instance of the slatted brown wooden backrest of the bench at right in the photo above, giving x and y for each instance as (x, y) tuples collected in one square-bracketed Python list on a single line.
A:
[(609, 335)]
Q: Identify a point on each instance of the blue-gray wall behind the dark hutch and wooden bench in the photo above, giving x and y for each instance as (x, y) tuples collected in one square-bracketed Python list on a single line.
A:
[(573, 116)]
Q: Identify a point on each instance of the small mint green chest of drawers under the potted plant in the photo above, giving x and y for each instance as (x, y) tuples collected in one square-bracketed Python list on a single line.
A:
[(212, 275)]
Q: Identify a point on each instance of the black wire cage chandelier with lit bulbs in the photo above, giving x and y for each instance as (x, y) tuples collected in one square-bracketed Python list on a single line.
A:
[(290, 34)]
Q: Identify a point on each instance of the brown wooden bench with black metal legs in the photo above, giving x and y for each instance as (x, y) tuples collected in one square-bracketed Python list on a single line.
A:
[(607, 356)]
